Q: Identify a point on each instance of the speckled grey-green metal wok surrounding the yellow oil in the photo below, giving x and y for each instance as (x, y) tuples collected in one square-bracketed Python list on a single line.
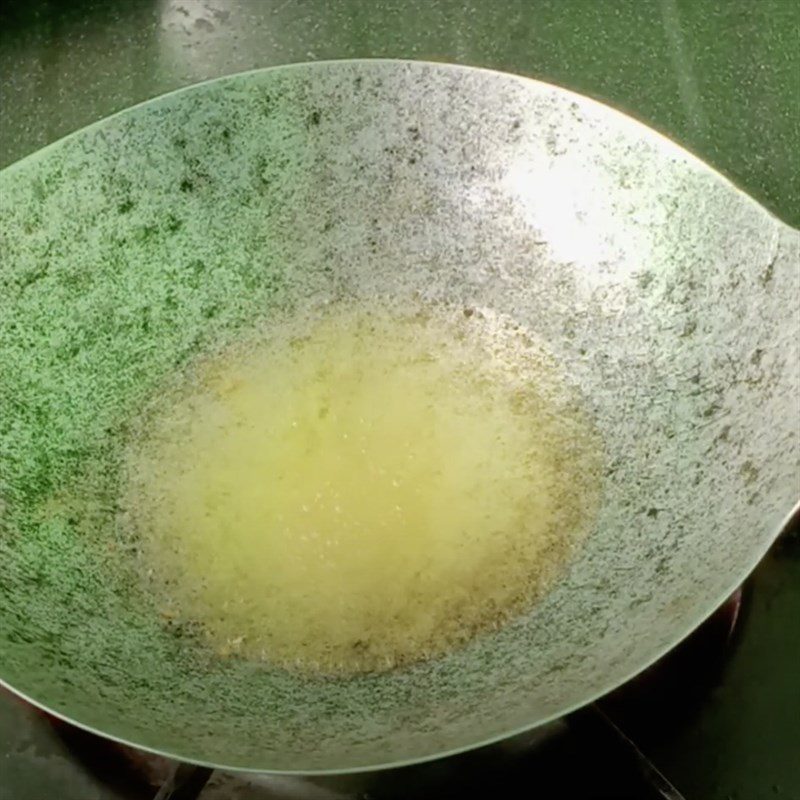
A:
[(669, 297)]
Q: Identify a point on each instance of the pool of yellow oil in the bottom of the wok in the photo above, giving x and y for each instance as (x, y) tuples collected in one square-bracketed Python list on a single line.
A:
[(358, 490)]
